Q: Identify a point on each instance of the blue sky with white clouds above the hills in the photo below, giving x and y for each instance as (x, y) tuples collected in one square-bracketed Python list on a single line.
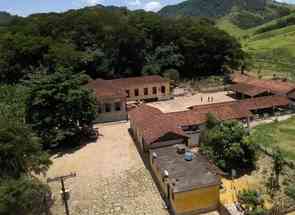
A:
[(27, 7)]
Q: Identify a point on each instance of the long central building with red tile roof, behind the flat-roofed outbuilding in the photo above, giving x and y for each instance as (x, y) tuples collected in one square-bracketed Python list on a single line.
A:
[(152, 128)]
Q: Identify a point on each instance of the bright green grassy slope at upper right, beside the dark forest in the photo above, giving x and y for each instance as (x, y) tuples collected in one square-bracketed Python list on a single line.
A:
[(271, 45)]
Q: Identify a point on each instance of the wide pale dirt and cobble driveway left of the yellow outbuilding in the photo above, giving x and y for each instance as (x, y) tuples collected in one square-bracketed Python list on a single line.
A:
[(111, 178)]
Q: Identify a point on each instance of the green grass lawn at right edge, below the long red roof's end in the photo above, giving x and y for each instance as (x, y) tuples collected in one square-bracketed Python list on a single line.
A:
[(281, 134)]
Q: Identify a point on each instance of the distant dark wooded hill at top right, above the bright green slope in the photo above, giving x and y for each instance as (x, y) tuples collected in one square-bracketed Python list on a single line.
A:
[(241, 13)]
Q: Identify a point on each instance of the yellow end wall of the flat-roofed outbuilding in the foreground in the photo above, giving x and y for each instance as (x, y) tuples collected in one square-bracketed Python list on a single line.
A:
[(198, 200)]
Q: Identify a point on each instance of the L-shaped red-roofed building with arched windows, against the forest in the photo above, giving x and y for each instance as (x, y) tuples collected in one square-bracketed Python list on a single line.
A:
[(112, 95)]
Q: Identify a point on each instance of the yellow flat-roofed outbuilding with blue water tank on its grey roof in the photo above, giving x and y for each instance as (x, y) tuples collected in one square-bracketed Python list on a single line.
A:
[(188, 181)]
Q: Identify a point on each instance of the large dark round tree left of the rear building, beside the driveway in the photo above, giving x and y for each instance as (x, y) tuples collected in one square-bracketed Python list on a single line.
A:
[(59, 106)]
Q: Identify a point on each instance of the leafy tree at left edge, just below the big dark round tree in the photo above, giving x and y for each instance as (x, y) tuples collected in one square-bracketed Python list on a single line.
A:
[(20, 151)]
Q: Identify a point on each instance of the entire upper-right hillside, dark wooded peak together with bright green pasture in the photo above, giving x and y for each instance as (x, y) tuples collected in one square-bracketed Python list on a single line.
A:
[(265, 28)]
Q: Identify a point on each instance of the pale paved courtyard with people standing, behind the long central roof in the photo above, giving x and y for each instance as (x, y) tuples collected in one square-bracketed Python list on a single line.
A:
[(183, 102)]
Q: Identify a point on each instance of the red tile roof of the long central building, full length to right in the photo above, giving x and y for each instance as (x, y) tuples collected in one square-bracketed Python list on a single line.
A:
[(154, 124)]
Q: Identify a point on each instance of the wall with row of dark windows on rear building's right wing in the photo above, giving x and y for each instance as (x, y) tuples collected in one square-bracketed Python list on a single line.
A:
[(149, 91)]
